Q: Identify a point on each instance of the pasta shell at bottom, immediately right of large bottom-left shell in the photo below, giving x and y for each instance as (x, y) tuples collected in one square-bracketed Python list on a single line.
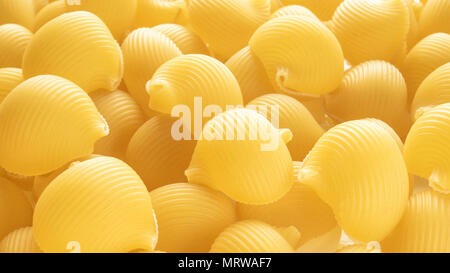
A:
[(190, 216)]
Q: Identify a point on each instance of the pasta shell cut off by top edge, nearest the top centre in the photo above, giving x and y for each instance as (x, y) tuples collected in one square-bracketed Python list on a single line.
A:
[(226, 26)]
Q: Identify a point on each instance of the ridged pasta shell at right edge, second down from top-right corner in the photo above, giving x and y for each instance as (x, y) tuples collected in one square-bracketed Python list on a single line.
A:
[(426, 56)]
